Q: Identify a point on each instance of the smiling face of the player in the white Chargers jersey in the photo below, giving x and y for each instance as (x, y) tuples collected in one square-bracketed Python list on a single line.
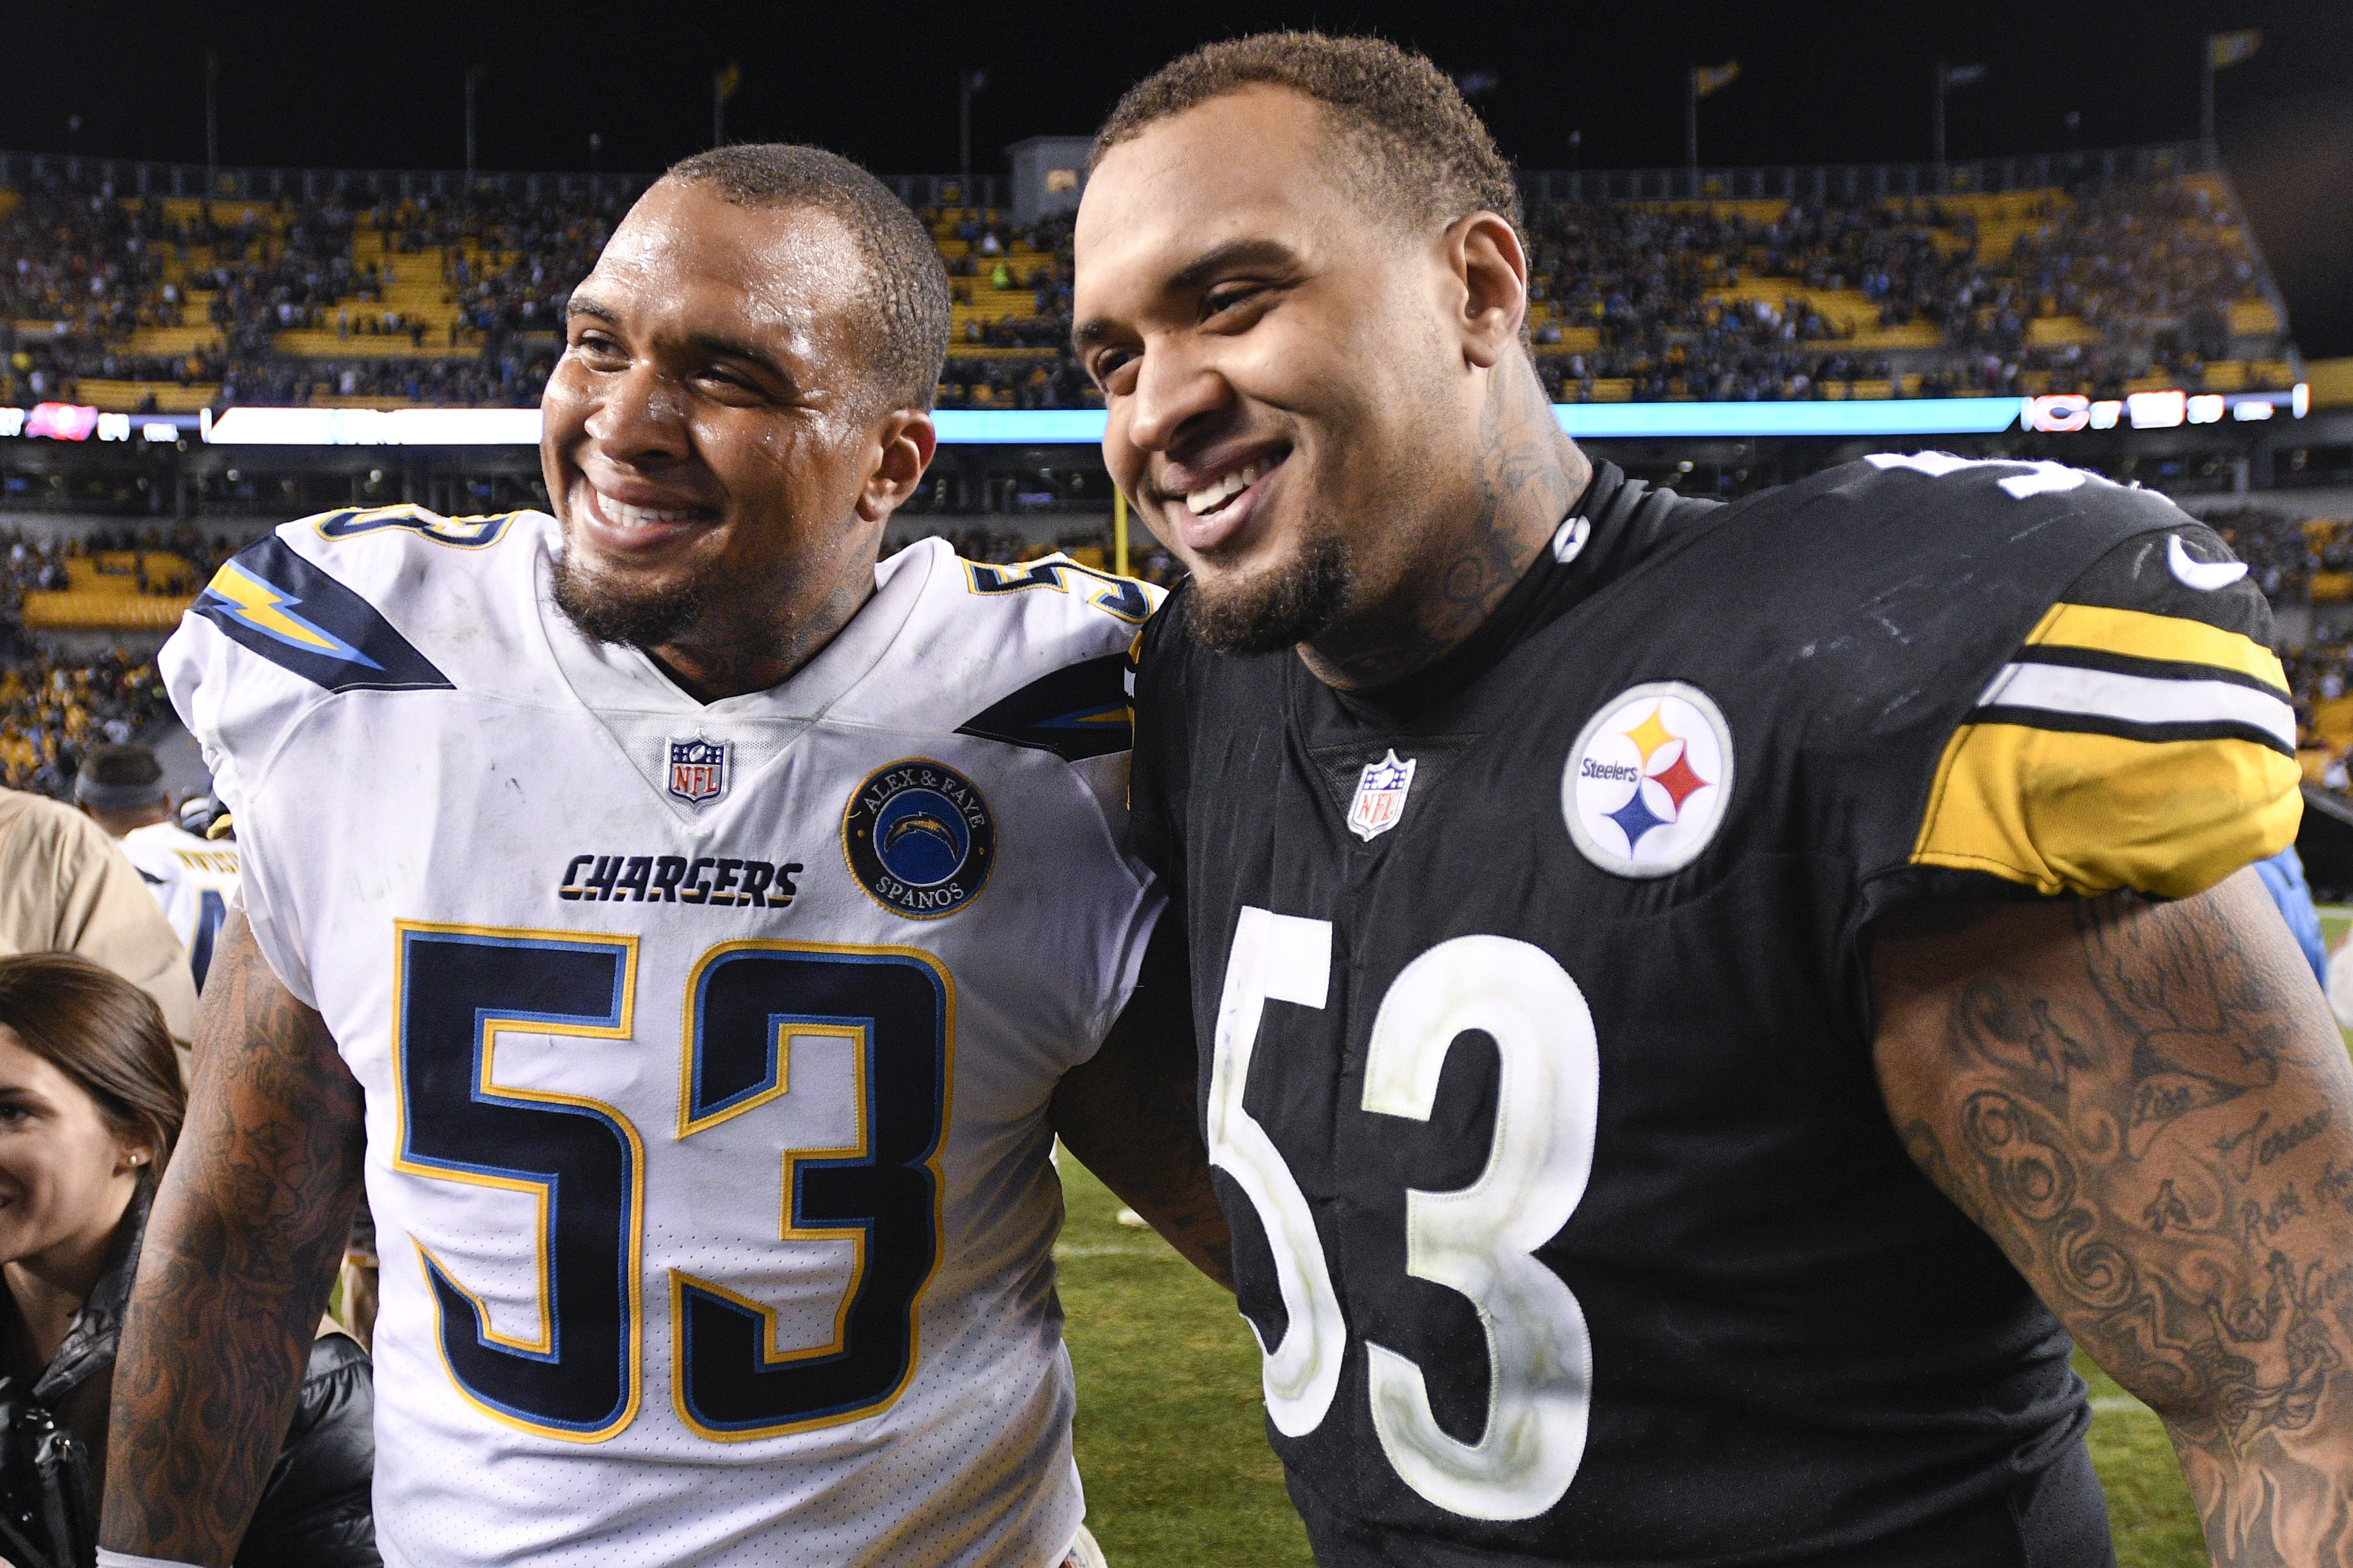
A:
[(714, 444)]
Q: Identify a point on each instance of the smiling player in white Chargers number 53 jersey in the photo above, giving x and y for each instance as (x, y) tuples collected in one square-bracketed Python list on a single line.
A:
[(695, 931)]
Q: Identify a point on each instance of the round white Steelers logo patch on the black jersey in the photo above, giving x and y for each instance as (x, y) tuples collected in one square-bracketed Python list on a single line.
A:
[(1648, 780)]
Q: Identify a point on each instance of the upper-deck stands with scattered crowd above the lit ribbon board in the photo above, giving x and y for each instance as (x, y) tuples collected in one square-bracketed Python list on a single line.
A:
[(1629, 295)]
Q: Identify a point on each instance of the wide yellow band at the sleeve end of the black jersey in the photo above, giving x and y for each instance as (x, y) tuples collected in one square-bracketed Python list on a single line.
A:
[(2069, 811)]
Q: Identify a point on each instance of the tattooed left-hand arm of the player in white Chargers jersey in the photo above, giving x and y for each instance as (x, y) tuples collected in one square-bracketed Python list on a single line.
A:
[(239, 1258)]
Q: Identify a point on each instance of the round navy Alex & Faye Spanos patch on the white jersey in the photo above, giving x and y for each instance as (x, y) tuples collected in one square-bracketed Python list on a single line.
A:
[(919, 839)]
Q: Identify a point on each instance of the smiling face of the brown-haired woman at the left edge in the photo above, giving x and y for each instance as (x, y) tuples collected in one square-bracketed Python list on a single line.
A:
[(65, 1174)]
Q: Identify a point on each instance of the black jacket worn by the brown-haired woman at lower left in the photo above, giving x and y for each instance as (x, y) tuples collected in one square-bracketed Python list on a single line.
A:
[(314, 1510)]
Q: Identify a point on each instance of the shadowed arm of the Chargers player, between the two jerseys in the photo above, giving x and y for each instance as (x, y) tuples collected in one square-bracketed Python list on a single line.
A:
[(1131, 1115)]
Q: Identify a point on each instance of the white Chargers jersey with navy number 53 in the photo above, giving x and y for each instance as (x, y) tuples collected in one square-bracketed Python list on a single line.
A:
[(707, 1049)]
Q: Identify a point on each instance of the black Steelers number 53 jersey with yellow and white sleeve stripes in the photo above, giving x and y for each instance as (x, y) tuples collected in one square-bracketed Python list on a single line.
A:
[(1538, 1037)]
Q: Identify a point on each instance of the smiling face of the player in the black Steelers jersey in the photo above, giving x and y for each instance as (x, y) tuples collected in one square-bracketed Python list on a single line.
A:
[(1284, 366)]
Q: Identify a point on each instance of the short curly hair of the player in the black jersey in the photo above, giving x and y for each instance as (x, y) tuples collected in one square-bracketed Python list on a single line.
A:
[(1427, 154)]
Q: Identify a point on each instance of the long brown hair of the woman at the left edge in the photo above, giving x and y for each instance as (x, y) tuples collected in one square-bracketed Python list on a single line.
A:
[(107, 1037)]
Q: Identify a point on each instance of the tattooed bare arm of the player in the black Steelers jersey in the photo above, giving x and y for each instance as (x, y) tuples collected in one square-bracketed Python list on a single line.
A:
[(2152, 1112)]
